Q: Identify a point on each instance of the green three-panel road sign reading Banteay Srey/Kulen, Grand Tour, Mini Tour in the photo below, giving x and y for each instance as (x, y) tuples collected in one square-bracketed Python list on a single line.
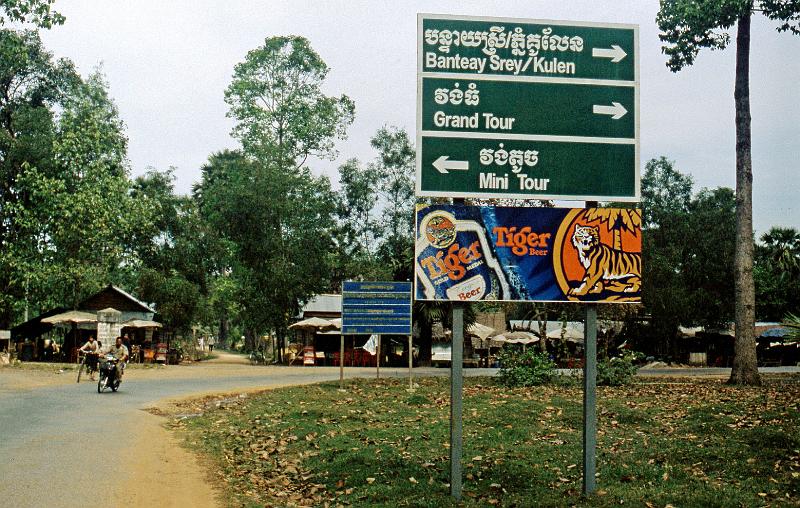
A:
[(527, 109)]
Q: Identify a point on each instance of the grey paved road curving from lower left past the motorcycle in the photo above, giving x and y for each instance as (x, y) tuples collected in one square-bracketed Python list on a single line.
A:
[(53, 438)]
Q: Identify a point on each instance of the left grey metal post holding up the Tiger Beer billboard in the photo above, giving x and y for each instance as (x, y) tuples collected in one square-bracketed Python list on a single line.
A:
[(456, 389)]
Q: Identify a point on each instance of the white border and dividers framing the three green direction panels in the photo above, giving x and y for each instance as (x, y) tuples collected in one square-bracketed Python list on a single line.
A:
[(495, 138)]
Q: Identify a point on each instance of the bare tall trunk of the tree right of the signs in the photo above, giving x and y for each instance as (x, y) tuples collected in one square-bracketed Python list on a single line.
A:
[(745, 366)]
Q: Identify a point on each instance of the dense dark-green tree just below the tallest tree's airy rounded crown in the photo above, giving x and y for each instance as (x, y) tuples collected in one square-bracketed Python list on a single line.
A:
[(278, 226)]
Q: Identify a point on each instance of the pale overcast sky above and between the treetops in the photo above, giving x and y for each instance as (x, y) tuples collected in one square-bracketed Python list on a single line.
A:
[(169, 62)]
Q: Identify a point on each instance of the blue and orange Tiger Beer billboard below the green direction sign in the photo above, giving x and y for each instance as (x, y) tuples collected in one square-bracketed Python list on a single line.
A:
[(470, 253)]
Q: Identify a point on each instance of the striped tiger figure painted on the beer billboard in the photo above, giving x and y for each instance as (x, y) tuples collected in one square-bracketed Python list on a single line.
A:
[(606, 268)]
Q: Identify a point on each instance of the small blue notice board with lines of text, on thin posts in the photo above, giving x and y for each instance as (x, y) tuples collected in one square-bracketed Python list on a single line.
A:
[(376, 308)]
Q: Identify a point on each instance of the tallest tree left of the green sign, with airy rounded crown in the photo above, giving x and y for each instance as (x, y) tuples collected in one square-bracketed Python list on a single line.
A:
[(276, 213)]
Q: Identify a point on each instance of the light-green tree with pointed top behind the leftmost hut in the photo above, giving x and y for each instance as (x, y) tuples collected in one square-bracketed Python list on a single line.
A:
[(86, 214)]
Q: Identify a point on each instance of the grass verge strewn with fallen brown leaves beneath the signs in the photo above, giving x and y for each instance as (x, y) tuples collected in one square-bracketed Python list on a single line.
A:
[(660, 443)]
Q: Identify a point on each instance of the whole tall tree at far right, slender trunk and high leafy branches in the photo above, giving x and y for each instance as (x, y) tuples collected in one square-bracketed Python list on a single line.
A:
[(688, 26)]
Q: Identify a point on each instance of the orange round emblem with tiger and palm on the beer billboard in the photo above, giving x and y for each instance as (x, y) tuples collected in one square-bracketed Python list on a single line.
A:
[(597, 255)]
